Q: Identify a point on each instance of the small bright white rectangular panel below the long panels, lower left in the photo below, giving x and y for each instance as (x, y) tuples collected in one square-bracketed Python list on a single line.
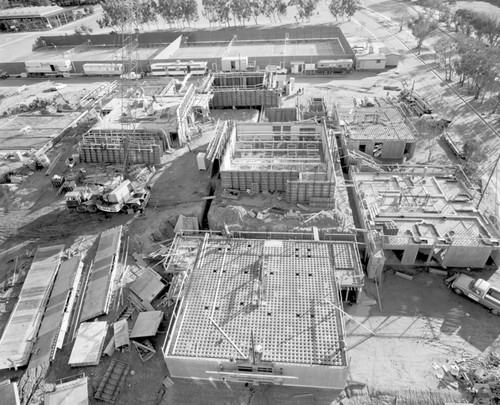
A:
[(88, 344)]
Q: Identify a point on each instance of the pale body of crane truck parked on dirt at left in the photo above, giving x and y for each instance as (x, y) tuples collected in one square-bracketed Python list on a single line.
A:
[(123, 198)]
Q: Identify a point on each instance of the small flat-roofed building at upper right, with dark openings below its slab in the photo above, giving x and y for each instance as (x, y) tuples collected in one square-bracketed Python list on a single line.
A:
[(383, 132)]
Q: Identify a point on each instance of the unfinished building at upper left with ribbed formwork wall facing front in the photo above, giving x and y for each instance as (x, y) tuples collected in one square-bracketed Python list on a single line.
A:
[(138, 128)]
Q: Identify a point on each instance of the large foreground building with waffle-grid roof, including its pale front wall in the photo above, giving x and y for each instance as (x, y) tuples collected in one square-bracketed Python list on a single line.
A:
[(241, 307)]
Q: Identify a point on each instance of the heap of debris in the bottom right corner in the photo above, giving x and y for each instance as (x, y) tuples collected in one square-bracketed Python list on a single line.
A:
[(478, 375)]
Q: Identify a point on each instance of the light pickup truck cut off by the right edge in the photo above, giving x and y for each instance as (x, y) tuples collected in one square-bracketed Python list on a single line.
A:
[(478, 290)]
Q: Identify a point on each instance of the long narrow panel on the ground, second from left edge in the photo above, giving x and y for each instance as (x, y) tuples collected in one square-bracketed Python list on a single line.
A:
[(44, 346)]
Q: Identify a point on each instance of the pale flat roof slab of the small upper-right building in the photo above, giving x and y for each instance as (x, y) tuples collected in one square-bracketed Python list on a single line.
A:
[(375, 123)]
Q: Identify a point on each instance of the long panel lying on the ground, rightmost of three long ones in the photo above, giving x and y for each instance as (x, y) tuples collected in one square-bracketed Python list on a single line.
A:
[(97, 295)]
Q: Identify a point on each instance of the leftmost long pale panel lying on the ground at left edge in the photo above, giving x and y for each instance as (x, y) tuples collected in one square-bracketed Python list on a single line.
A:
[(22, 327)]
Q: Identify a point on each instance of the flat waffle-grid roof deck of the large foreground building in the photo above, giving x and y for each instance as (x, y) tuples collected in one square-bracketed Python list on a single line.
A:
[(283, 293)]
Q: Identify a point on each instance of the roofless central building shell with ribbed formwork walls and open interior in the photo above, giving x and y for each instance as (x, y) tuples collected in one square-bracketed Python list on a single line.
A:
[(295, 158)]
